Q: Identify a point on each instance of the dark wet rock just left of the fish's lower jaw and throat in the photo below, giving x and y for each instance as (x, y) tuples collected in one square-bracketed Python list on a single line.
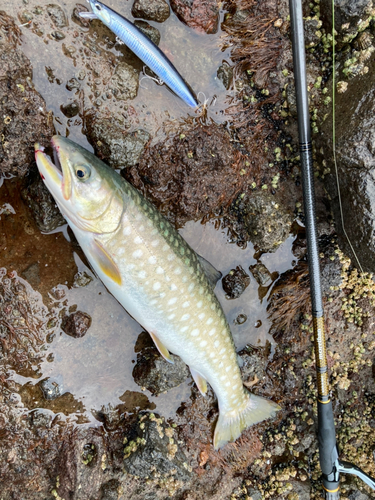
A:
[(43, 207)]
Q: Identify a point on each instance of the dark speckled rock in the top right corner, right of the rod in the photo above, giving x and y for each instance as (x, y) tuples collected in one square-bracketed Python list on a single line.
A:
[(351, 17)]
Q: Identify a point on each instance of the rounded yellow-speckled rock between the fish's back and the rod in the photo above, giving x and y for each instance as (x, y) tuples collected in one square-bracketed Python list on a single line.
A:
[(267, 223)]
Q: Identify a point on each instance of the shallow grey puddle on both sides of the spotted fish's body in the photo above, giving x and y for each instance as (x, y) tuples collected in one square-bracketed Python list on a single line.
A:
[(96, 371)]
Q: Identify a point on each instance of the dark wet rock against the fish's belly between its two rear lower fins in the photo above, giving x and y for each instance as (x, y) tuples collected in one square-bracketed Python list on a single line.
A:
[(156, 374)]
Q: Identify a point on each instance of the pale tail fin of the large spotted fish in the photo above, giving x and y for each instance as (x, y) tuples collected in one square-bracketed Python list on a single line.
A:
[(229, 426)]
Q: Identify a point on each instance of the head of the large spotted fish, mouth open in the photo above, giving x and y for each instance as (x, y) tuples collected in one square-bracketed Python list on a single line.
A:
[(86, 190)]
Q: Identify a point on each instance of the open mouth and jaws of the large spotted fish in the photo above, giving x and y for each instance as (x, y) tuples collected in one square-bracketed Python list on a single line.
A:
[(54, 173)]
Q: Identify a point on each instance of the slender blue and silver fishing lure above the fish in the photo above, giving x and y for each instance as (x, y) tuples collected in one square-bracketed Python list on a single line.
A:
[(144, 48)]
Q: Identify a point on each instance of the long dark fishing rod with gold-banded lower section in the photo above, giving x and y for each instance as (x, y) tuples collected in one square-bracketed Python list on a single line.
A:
[(330, 463)]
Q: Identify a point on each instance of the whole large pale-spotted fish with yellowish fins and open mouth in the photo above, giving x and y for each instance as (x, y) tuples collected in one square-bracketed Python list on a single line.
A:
[(155, 275)]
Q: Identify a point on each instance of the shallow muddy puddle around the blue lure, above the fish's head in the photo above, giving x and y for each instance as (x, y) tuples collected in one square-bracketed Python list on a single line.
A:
[(88, 55)]
